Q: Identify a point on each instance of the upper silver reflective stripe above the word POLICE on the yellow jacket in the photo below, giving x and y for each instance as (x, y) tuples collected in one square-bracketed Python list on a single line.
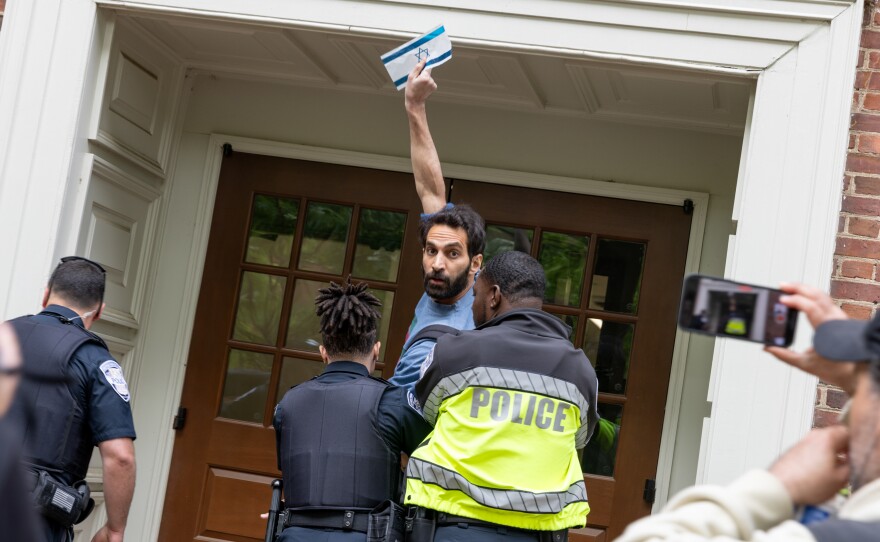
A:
[(509, 379)]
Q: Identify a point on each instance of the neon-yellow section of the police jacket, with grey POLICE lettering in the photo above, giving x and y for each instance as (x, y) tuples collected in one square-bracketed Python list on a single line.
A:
[(504, 456)]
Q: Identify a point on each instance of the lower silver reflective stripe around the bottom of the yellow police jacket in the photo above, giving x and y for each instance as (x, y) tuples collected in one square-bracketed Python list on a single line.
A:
[(503, 499)]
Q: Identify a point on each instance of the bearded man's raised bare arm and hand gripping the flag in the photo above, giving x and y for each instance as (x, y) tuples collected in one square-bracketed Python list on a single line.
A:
[(426, 163)]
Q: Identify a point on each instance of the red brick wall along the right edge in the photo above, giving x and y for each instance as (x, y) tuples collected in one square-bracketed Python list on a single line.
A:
[(855, 282)]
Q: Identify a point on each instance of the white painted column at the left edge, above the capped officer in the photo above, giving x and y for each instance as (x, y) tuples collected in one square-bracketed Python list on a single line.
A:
[(44, 55)]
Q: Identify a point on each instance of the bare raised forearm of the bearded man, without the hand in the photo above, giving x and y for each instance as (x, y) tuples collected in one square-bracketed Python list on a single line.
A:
[(425, 161)]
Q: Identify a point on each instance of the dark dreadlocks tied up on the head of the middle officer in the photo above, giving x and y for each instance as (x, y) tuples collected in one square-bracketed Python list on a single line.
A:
[(349, 318)]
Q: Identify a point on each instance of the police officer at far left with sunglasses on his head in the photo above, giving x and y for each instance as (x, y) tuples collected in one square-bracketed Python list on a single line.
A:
[(60, 424)]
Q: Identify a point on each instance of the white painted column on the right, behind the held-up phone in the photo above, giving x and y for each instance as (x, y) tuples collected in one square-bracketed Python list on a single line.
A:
[(786, 208)]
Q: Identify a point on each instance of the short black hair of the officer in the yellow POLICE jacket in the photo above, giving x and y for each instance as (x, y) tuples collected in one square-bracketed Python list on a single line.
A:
[(517, 274)]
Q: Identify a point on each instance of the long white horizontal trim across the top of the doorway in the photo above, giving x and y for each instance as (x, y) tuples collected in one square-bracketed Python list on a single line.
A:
[(741, 38)]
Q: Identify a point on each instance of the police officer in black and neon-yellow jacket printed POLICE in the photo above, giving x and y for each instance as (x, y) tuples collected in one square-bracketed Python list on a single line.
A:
[(511, 403)]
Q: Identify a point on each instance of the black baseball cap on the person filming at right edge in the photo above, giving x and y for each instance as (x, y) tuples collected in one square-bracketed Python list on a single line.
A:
[(849, 340)]
